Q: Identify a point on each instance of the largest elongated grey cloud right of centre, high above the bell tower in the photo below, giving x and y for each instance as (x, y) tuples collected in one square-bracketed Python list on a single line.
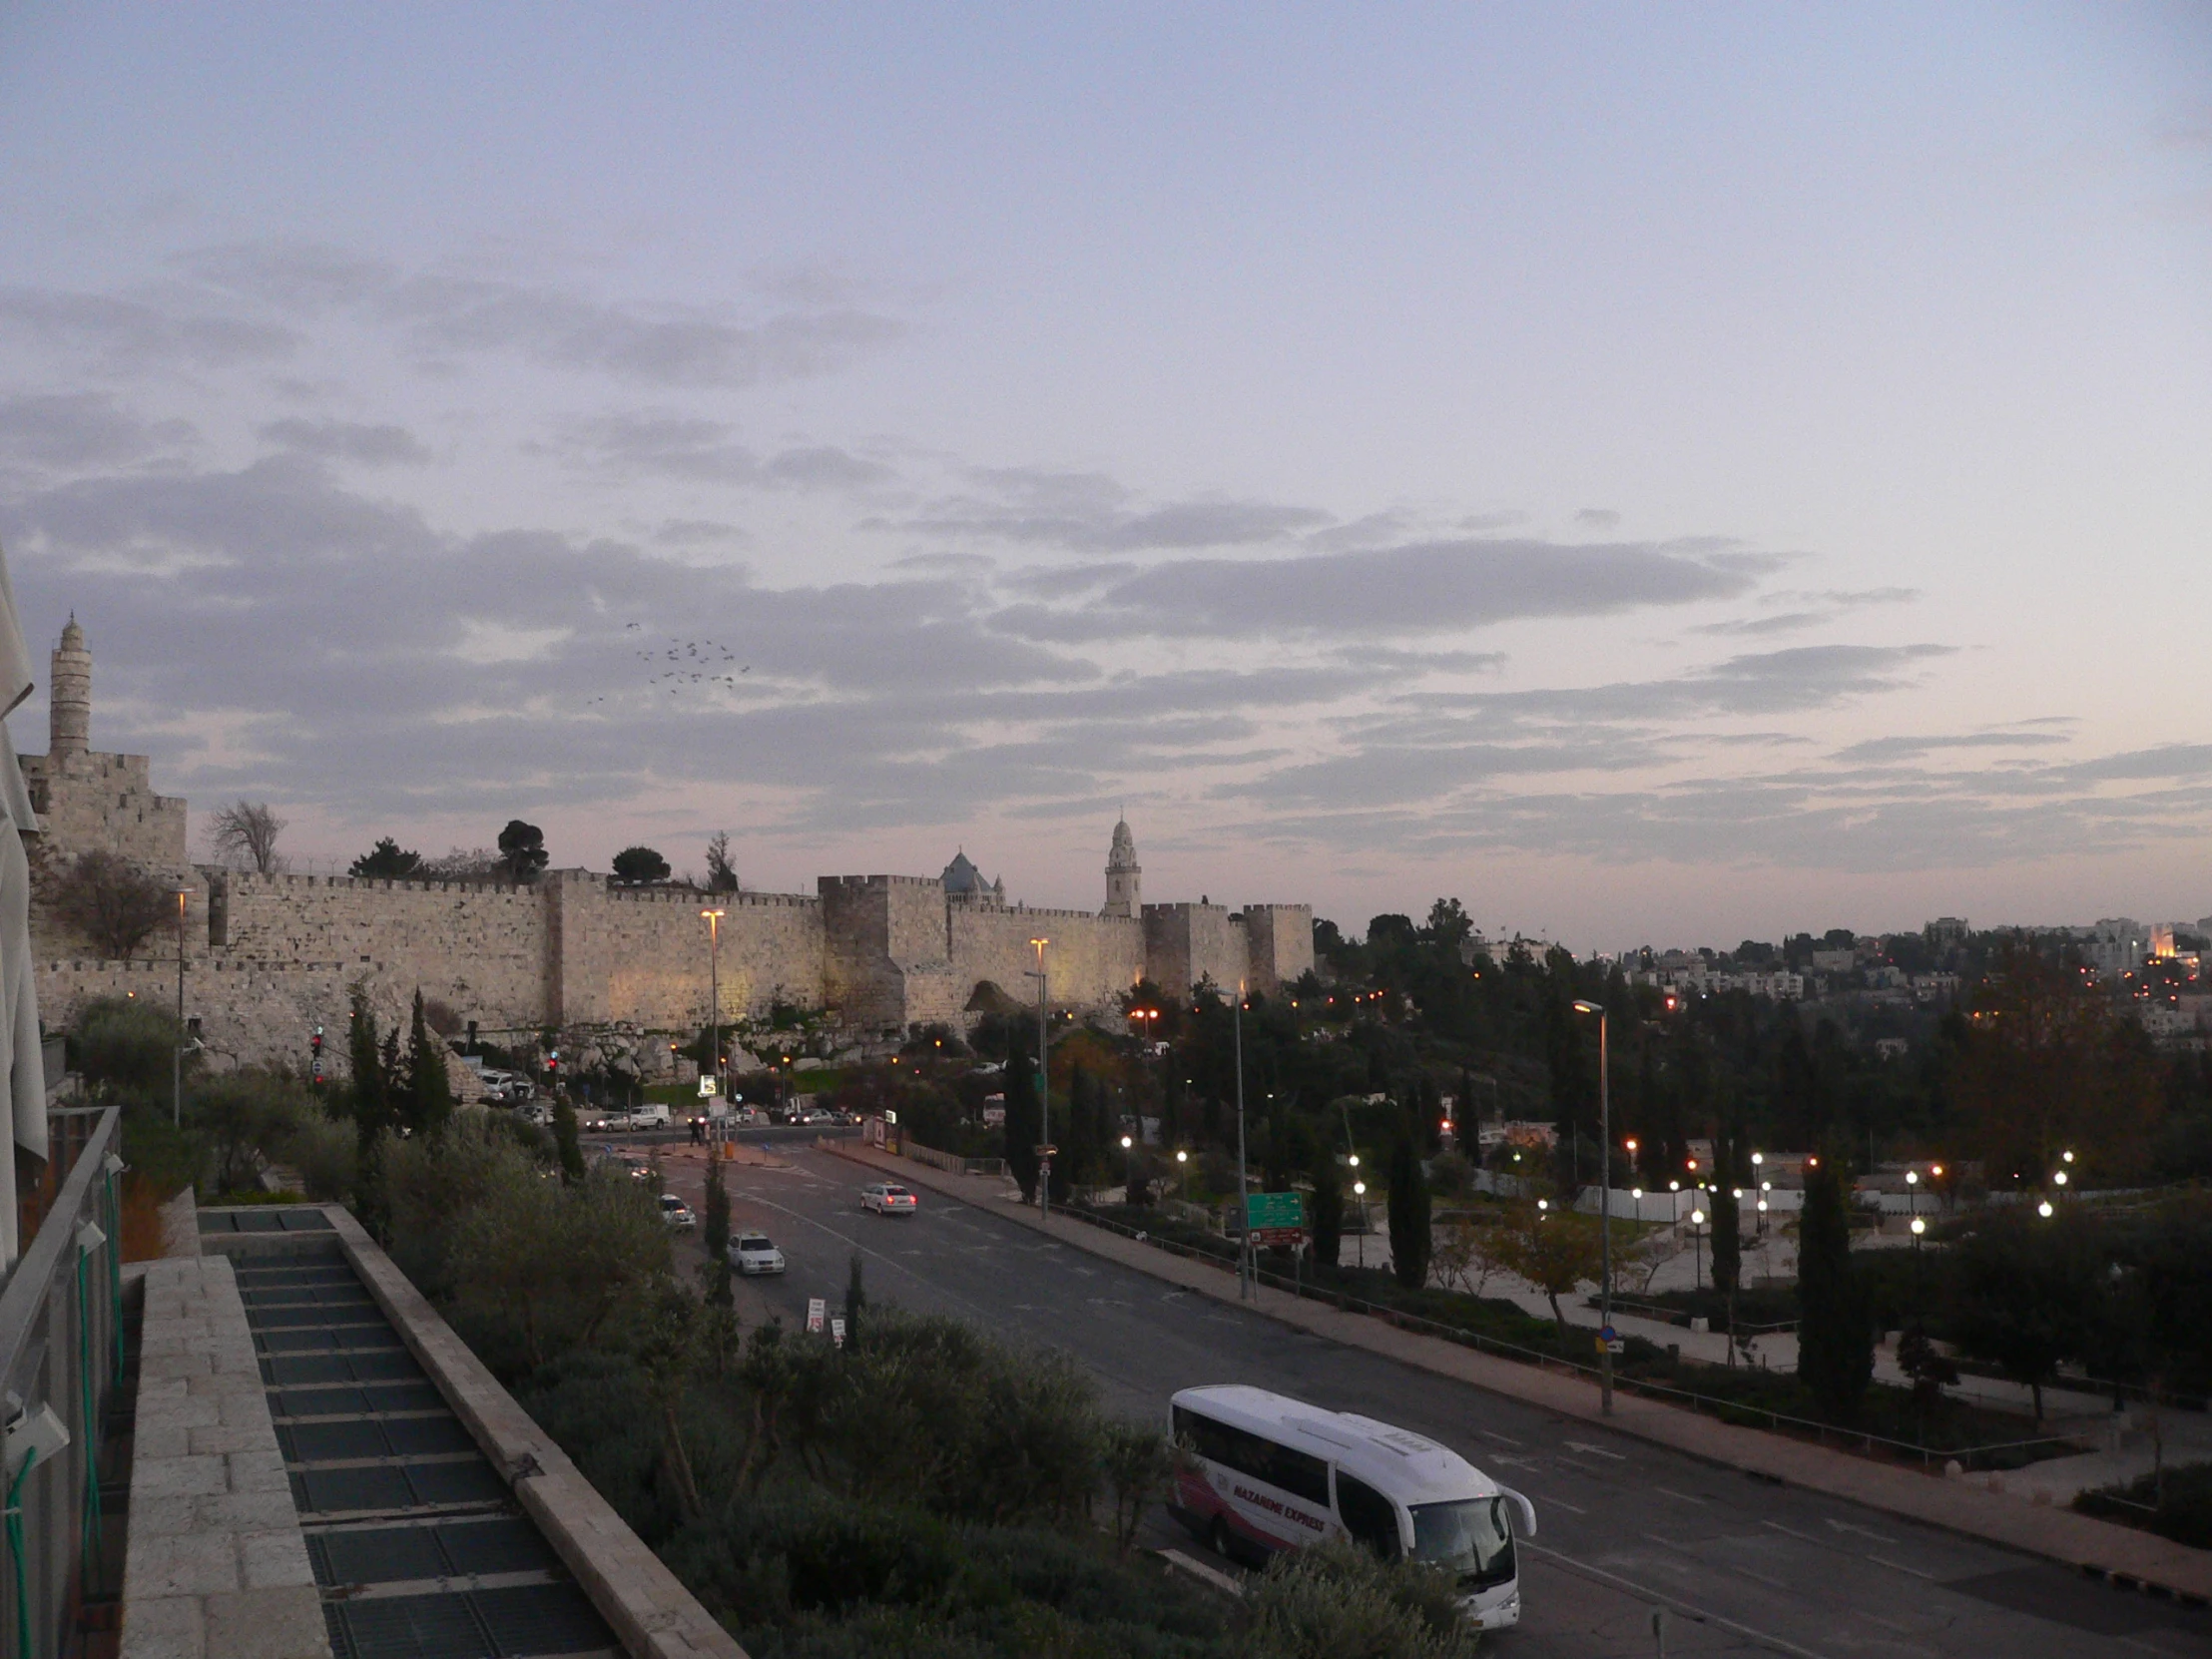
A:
[(1432, 587)]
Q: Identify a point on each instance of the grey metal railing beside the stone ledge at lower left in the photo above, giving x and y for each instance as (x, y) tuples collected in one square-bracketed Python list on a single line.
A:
[(61, 1359)]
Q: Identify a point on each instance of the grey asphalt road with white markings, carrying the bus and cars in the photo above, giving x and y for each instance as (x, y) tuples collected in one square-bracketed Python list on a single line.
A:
[(1740, 1565)]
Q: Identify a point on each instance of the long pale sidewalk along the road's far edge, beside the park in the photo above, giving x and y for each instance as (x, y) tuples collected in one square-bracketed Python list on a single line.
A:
[(1968, 1507)]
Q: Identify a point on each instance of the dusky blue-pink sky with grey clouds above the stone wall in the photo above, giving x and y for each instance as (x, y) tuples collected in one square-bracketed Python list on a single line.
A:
[(1660, 474)]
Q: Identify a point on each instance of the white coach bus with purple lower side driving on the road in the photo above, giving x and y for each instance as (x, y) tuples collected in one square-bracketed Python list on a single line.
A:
[(1273, 1474)]
